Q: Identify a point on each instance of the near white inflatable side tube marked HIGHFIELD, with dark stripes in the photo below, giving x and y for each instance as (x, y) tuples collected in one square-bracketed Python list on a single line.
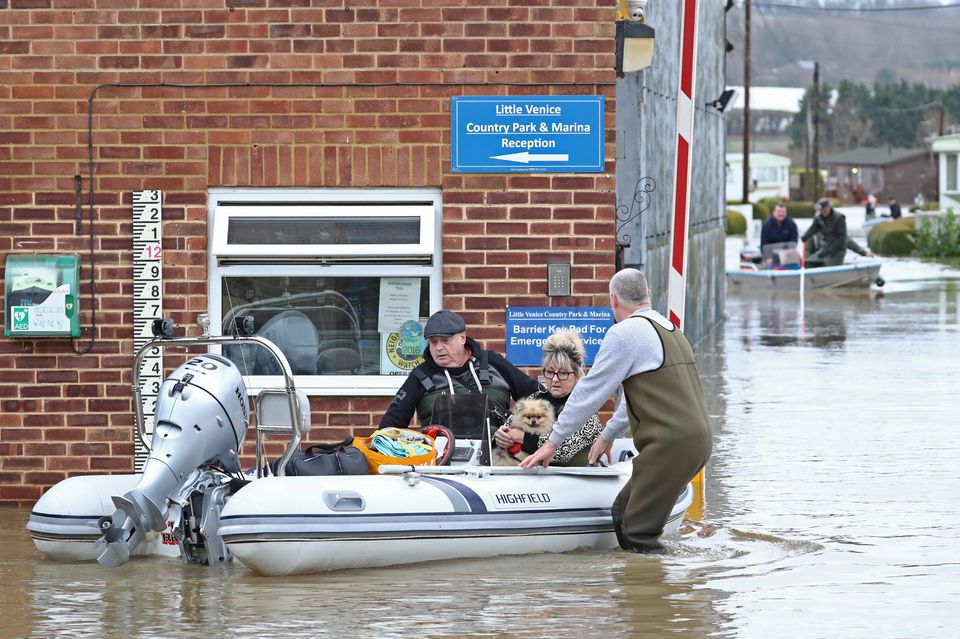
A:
[(288, 525)]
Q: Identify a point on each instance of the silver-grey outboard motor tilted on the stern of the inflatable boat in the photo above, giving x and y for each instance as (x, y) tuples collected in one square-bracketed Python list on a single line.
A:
[(201, 418)]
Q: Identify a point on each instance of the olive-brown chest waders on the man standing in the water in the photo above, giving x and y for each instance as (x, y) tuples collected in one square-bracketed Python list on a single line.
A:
[(671, 430)]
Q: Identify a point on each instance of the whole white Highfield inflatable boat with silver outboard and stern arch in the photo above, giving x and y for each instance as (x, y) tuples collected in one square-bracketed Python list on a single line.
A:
[(192, 501)]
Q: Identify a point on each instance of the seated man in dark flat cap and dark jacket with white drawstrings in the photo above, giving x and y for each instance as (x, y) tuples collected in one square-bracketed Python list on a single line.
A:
[(456, 364)]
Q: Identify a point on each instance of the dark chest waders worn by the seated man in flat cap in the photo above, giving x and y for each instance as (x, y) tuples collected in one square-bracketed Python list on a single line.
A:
[(491, 385)]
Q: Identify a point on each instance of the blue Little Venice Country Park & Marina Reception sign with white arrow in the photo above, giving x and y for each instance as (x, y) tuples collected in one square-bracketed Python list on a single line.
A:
[(505, 134)]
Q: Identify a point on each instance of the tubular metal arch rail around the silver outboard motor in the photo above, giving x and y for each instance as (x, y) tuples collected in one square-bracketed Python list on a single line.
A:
[(163, 339)]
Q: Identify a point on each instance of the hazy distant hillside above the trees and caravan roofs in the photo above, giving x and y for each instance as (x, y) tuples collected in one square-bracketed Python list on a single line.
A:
[(916, 46)]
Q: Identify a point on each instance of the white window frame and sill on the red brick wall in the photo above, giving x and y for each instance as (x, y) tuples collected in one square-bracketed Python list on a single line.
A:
[(423, 259)]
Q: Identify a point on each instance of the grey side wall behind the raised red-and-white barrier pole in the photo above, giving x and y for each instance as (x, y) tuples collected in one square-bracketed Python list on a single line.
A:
[(646, 129)]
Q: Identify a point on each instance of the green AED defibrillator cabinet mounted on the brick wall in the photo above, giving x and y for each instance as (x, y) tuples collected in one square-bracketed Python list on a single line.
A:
[(41, 293)]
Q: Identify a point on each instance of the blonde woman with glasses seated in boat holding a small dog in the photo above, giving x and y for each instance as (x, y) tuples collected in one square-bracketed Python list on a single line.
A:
[(563, 357)]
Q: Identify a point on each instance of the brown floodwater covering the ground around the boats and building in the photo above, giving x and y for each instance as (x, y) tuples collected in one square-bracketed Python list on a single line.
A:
[(831, 512)]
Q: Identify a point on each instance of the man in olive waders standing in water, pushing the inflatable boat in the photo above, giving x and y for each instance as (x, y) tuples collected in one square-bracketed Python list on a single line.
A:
[(662, 404)]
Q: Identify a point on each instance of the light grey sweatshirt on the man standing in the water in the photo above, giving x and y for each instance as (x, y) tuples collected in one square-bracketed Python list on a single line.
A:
[(629, 347)]
